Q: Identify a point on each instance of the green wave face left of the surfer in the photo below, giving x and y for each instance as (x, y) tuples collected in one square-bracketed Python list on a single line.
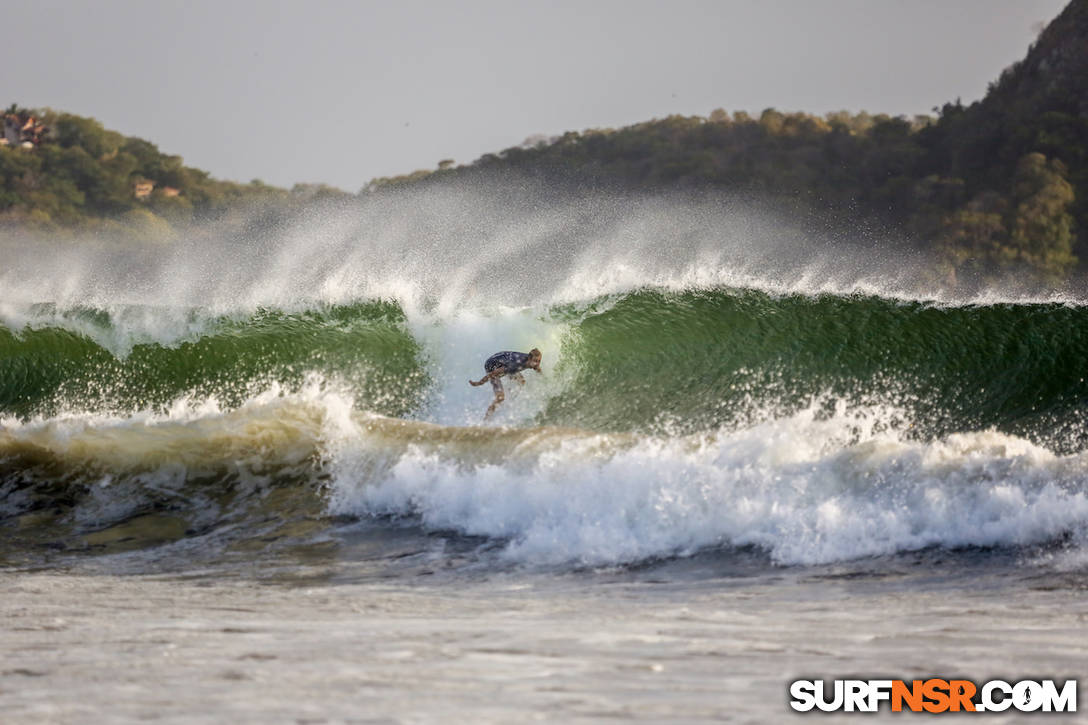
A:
[(365, 348)]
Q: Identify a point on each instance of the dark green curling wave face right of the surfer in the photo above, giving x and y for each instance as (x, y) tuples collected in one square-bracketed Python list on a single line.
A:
[(721, 359)]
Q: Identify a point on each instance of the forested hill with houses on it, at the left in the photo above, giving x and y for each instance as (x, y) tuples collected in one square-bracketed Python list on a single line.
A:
[(63, 174)]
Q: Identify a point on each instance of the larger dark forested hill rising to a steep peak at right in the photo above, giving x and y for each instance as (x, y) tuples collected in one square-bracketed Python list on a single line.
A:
[(994, 189)]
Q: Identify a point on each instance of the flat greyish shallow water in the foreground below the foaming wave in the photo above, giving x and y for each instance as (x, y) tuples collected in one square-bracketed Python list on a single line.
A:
[(510, 648)]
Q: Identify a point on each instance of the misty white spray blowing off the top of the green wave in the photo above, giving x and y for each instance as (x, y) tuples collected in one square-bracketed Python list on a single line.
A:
[(469, 247)]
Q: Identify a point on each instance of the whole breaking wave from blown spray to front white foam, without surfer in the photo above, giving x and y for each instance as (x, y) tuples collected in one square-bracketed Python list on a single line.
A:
[(698, 391)]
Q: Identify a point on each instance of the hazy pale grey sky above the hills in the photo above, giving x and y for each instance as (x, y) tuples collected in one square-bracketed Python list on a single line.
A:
[(342, 92)]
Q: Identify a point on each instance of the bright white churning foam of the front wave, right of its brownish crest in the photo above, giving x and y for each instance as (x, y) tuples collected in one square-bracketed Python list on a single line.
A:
[(806, 490)]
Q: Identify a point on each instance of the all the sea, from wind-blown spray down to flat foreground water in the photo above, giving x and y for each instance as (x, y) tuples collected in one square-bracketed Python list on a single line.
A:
[(246, 477)]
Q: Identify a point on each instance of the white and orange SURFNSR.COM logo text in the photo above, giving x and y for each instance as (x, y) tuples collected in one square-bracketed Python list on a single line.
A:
[(933, 695)]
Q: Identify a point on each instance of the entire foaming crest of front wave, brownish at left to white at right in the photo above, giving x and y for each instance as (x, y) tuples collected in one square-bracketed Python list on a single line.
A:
[(810, 488)]
